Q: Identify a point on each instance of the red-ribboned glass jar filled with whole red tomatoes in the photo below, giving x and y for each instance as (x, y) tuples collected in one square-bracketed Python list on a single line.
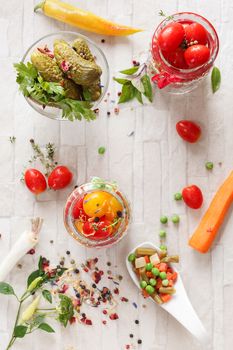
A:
[(184, 48)]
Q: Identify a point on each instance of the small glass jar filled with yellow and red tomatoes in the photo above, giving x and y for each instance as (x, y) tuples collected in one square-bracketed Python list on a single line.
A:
[(97, 214)]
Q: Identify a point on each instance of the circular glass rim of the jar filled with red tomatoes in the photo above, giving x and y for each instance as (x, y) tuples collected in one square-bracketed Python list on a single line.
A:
[(191, 70)]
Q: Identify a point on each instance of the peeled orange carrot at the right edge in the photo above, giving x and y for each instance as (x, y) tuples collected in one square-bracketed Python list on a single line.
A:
[(207, 230)]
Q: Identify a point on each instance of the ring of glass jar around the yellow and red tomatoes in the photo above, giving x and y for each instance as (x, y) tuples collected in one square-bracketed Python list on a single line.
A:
[(79, 193)]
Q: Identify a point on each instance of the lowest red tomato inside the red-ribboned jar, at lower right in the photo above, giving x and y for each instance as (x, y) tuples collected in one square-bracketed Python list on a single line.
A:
[(196, 55)]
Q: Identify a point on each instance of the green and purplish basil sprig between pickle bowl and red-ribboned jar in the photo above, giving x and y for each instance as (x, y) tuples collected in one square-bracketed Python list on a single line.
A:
[(135, 84)]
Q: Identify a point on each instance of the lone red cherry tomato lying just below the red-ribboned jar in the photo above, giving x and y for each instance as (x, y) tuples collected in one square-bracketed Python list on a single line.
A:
[(188, 131)]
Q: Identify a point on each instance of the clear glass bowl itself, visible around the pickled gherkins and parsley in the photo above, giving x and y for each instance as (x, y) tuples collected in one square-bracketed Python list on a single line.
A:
[(53, 112)]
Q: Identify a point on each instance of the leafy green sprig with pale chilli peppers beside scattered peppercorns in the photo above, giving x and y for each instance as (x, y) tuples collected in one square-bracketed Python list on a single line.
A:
[(32, 318)]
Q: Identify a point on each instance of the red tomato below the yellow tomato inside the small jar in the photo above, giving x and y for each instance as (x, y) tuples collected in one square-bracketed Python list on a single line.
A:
[(99, 230)]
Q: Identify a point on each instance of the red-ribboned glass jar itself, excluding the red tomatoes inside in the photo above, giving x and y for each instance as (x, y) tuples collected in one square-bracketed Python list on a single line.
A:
[(183, 80)]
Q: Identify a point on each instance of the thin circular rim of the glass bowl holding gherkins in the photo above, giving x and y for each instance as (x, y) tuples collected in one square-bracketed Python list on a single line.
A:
[(105, 88)]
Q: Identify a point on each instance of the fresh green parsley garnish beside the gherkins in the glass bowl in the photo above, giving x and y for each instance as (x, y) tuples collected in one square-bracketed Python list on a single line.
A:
[(32, 85)]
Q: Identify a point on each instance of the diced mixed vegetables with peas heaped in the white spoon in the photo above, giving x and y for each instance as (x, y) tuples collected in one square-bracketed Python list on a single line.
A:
[(155, 273)]
